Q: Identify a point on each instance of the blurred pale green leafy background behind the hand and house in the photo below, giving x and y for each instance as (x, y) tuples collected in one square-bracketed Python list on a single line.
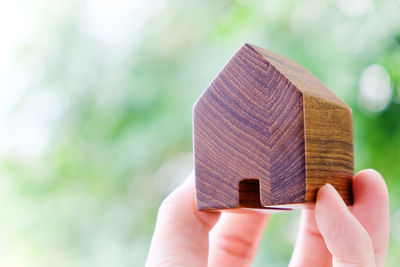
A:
[(96, 104)]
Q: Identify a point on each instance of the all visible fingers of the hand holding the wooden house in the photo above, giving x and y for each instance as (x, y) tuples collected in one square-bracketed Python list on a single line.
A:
[(332, 234)]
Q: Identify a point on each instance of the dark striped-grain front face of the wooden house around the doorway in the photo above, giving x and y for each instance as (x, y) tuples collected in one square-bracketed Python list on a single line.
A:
[(249, 124)]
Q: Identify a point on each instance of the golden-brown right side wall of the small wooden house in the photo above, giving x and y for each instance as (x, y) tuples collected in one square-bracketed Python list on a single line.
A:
[(329, 147)]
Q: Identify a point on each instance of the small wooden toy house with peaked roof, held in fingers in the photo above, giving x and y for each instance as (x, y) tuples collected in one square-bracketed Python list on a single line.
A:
[(268, 133)]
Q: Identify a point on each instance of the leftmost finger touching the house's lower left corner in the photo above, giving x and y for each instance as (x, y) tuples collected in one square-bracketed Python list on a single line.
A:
[(181, 233)]
